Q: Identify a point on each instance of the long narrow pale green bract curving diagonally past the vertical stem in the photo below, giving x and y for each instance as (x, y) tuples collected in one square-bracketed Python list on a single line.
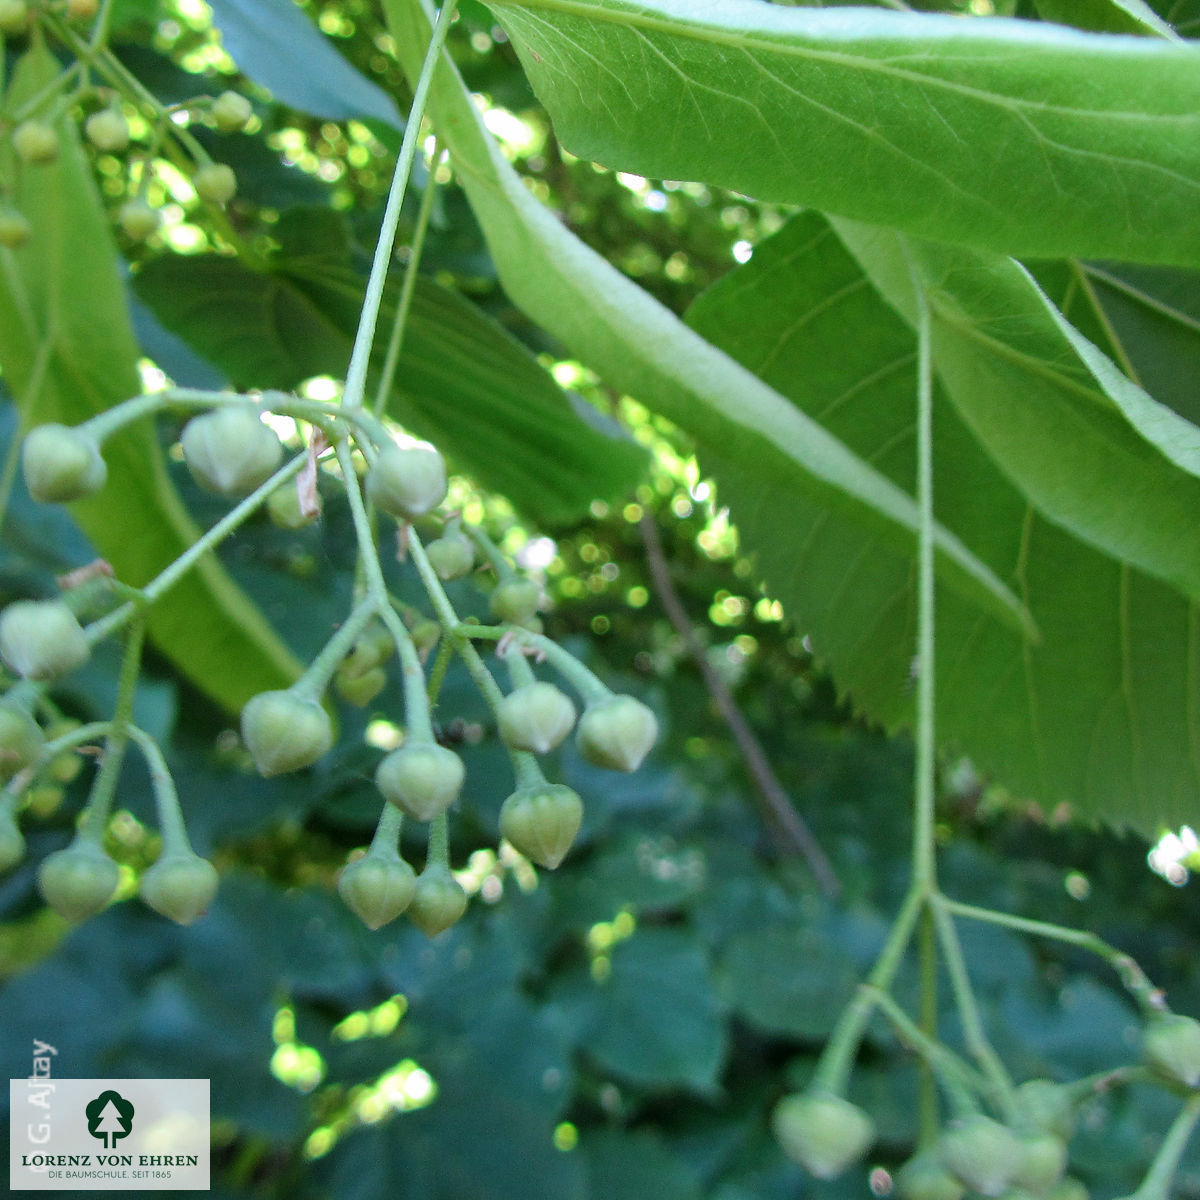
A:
[(641, 349)]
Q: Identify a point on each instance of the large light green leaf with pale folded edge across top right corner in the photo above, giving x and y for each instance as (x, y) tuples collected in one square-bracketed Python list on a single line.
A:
[(1021, 137)]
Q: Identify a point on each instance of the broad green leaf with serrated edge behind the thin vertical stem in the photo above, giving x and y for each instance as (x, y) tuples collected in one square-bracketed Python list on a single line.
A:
[(1100, 712)]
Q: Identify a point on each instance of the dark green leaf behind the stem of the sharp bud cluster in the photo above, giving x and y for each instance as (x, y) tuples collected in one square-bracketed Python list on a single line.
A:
[(463, 381)]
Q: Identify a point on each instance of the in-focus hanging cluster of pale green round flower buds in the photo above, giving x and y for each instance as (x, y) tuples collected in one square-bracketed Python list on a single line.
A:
[(231, 452)]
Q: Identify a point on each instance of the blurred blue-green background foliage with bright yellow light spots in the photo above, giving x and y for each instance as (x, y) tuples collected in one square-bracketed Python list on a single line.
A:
[(619, 1028)]
